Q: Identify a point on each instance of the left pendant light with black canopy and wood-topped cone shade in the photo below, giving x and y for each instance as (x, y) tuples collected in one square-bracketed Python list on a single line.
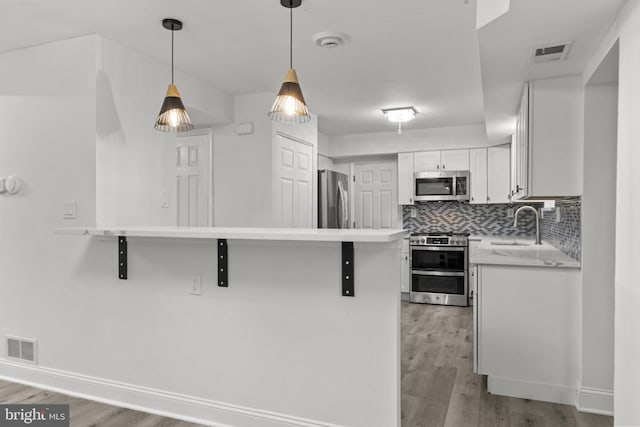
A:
[(173, 117)]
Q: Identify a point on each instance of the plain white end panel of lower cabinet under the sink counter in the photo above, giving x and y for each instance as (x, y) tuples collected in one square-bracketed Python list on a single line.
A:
[(527, 330)]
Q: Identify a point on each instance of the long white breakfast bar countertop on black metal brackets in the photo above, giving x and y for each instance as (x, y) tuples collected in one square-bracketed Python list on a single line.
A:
[(245, 233)]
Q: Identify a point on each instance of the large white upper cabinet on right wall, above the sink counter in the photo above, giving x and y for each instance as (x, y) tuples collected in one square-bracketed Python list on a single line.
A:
[(548, 142)]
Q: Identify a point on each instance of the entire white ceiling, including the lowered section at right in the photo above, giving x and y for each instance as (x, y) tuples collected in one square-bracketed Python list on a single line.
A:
[(402, 52)]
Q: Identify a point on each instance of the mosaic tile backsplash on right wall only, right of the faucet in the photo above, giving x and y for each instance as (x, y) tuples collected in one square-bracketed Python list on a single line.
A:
[(566, 235)]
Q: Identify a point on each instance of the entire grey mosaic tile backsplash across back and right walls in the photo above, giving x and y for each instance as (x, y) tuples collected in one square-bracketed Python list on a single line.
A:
[(492, 220)]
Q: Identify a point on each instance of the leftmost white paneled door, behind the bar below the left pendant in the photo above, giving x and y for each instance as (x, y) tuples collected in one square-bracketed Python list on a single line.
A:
[(192, 180)]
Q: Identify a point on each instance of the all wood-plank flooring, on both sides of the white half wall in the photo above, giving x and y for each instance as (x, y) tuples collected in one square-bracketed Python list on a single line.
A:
[(439, 387)]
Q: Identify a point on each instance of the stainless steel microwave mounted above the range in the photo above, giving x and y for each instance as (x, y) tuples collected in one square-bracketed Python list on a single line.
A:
[(437, 185)]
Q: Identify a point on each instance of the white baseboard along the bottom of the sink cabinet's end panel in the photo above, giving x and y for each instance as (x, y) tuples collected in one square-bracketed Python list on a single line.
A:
[(531, 390)]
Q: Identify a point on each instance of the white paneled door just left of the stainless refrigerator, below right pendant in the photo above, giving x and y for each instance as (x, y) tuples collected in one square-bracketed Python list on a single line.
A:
[(294, 183)]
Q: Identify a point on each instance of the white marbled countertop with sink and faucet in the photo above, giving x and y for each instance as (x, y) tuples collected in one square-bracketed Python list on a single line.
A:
[(523, 253)]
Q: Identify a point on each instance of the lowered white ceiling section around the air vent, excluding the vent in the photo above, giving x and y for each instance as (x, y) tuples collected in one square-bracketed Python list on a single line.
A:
[(505, 46)]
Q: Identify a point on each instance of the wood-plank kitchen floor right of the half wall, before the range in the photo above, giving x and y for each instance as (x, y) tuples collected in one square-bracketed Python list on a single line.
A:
[(439, 387)]
